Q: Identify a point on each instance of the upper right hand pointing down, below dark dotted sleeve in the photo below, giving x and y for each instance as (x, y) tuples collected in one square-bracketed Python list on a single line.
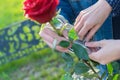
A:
[(91, 19)]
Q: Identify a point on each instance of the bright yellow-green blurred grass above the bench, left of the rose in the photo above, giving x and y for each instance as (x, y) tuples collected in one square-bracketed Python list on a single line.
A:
[(10, 11)]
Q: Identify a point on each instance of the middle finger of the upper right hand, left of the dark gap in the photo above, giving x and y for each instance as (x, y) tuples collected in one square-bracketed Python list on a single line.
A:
[(84, 30)]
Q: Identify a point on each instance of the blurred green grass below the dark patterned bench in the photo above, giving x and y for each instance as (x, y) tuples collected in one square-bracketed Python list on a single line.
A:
[(42, 65)]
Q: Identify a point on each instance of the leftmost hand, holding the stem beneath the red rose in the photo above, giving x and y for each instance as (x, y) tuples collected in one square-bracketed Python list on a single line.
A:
[(49, 36)]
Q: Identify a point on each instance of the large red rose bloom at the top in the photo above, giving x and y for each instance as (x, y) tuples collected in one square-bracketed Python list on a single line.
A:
[(40, 10)]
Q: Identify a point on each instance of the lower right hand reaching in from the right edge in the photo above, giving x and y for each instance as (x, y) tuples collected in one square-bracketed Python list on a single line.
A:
[(110, 51)]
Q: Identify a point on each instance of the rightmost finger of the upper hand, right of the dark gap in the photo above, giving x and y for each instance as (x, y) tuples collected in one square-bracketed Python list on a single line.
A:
[(92, 32)]
